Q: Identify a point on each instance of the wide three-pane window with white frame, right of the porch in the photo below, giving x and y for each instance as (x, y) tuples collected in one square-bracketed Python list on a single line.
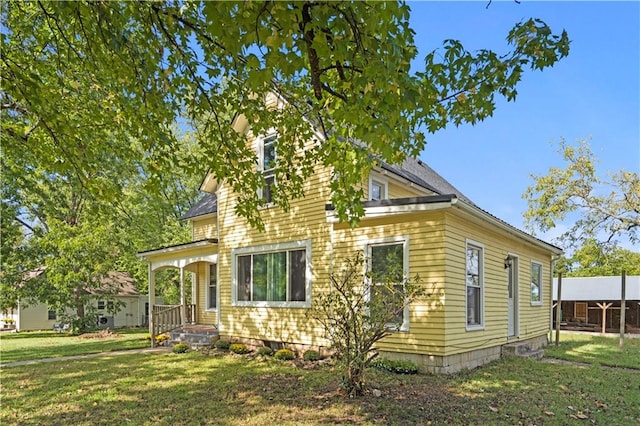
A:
[(274, 275)]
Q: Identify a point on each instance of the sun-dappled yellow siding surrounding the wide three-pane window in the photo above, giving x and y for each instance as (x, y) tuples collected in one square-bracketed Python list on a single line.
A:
[(305, 220)]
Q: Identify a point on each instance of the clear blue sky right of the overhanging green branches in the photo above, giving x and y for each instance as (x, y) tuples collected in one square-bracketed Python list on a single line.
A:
[(593, 93)]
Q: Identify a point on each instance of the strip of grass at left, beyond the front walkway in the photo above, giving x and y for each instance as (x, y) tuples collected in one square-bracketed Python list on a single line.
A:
[(48, 344)]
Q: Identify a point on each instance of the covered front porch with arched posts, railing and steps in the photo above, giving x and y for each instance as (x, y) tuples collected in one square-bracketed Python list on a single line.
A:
[(184, 321)]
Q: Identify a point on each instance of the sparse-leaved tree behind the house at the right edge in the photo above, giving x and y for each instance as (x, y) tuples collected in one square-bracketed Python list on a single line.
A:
[(608, 209)]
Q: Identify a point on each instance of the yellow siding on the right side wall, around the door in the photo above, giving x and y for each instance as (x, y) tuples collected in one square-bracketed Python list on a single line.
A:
[(533, 320)]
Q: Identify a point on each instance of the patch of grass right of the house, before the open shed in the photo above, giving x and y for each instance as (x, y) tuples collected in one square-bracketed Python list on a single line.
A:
[(596, 349)]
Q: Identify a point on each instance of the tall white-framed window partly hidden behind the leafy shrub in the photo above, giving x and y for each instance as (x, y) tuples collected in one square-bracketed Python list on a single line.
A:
[(388, 267)]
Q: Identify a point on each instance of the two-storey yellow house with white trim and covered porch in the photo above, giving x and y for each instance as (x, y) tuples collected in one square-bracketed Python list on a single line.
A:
[(490, 282)]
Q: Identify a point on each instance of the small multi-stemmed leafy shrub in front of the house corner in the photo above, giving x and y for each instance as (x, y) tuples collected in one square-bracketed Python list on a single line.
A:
[(358, 311)]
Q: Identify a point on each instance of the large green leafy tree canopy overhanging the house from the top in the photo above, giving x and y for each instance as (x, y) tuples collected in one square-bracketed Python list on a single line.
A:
[(82, 78)]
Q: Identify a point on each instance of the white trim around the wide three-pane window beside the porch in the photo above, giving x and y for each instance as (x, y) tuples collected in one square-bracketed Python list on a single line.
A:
[(267, 248)]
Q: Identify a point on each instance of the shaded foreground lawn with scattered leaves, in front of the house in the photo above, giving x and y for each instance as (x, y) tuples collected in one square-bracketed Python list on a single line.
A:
[(197, 388)]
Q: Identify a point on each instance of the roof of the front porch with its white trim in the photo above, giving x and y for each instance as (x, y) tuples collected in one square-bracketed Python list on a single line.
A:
[(182, 255)]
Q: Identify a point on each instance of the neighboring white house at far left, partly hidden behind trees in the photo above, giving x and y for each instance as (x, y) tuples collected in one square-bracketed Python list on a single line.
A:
[(133, 309)]
